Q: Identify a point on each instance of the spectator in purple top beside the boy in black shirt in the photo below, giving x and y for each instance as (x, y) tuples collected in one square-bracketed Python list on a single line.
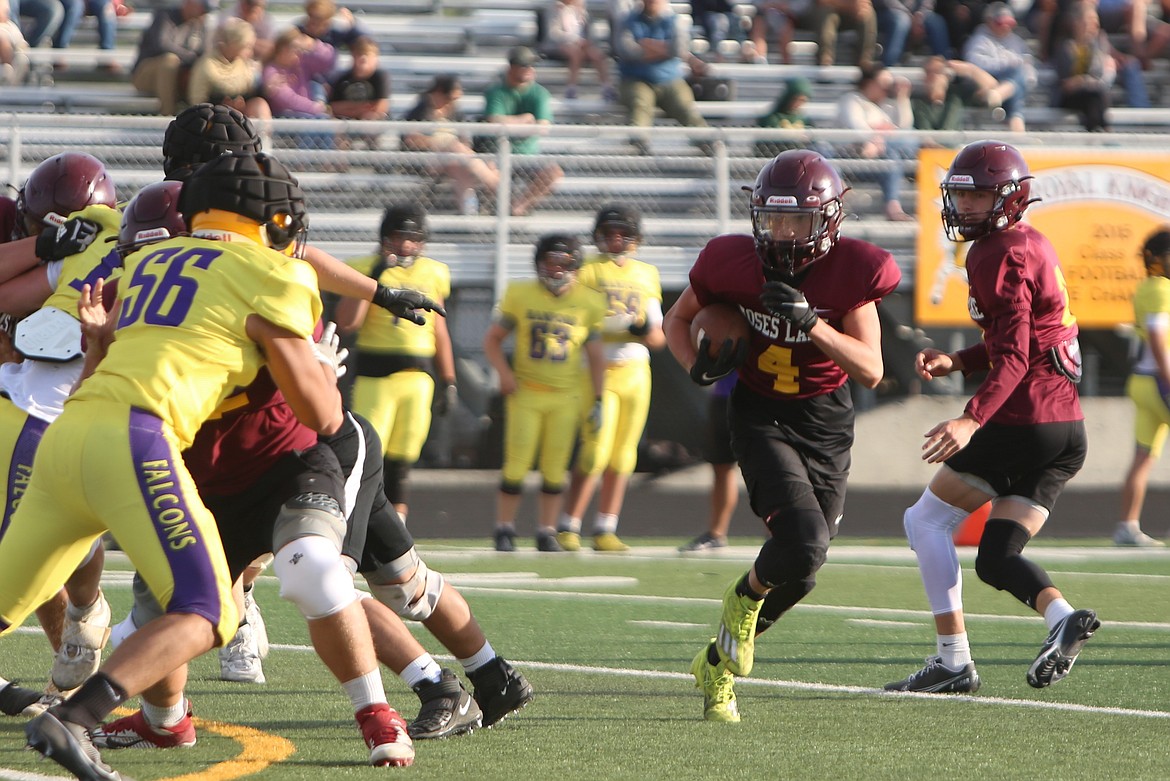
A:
[(290, 78)]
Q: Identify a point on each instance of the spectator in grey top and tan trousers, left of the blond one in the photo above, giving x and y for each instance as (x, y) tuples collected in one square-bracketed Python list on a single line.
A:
[(169, 49)]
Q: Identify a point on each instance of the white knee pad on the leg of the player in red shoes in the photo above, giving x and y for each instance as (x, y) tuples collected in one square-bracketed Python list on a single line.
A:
[(314, 577)]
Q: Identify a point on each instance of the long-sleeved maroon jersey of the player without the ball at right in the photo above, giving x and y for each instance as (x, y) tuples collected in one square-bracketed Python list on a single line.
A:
[(1020, 299)]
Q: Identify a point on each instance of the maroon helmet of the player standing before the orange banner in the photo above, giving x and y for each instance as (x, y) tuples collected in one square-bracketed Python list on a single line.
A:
[(992, 167)]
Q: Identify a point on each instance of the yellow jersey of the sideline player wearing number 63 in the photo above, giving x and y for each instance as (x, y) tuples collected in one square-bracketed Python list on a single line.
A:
[(550, 331)]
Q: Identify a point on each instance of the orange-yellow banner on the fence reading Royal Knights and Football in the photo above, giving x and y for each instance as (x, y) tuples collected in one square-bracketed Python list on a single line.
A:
[(1097, 208)]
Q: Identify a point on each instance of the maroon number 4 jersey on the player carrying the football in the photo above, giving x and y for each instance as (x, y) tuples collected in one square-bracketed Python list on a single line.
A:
[(783, 363)]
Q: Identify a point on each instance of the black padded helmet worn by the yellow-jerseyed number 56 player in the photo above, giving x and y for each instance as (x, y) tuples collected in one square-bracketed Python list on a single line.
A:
[(252, 185)]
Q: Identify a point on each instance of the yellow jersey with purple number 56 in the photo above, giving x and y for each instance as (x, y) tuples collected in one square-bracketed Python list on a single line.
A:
[(182, 344)]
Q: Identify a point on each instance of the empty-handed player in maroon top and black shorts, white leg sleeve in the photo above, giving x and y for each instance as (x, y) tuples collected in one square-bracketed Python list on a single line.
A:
[(1022, 436)]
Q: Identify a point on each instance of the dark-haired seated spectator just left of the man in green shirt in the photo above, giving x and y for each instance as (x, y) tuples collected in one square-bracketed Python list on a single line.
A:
[(441, 103)]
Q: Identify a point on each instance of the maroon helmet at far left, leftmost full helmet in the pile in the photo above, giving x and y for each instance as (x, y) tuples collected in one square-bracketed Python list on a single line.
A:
[(60, 186)]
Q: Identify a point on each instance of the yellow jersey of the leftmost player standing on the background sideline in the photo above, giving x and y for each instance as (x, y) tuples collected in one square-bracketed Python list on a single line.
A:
[(387, 334)]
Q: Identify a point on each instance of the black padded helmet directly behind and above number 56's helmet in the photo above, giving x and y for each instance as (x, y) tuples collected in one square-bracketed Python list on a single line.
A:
[(202, 133)]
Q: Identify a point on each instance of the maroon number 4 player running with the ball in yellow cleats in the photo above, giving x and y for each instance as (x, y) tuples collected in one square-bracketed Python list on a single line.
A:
[(811, 299)]
